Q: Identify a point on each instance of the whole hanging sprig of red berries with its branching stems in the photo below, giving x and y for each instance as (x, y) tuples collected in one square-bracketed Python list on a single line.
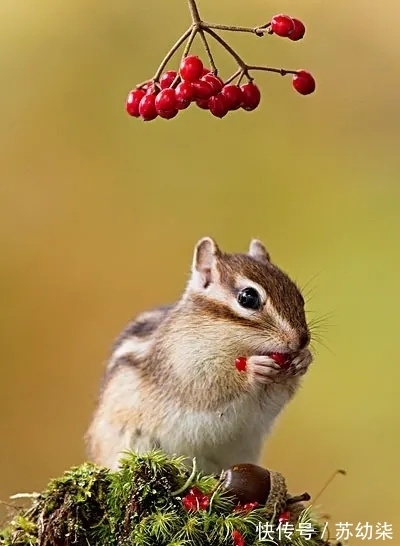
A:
[(169, 92)]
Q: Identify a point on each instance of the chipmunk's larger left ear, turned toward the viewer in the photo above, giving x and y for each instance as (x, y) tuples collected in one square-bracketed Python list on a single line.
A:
[(206, 254)]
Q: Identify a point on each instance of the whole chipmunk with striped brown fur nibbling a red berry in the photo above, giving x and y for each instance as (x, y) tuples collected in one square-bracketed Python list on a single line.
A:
[(171, 381)]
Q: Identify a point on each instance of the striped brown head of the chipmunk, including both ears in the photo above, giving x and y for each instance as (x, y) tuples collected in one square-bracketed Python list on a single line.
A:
[(249, 296)]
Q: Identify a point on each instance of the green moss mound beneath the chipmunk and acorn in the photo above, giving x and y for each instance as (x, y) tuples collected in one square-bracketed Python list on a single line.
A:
[(139, 506)]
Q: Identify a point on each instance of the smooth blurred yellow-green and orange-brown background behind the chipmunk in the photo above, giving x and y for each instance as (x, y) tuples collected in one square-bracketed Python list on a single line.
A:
[(99, 214)]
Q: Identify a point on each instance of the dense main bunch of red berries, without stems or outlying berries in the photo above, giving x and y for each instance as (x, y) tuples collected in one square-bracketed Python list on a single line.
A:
[(194, 83)]
